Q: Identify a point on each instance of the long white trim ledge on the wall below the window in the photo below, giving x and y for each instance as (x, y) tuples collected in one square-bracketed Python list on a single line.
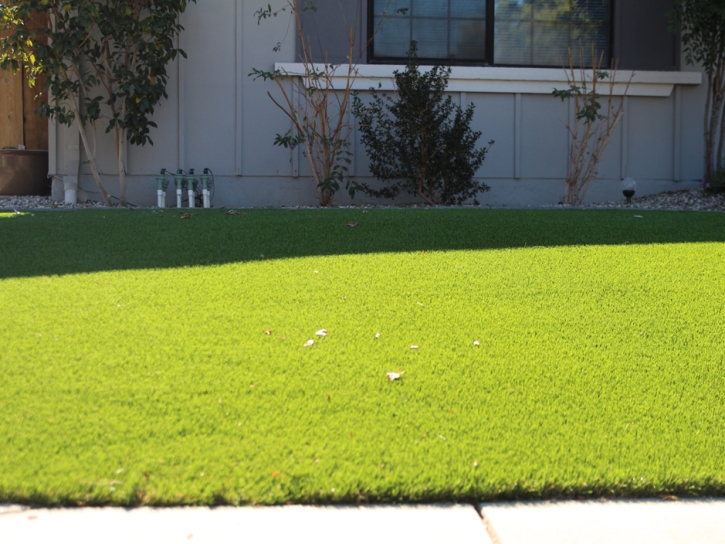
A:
[(508, 80)]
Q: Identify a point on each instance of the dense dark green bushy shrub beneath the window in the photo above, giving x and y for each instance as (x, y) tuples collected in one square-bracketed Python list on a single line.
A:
[(420, 142)]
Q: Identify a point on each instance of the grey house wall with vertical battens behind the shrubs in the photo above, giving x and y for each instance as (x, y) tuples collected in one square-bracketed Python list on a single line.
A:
[(217, 117)]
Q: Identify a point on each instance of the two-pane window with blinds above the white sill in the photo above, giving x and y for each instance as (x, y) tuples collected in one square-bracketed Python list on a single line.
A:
[(500, 32)]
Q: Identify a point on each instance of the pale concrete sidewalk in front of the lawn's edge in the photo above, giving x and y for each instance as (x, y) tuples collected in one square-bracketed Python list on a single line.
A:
[(591, 522)]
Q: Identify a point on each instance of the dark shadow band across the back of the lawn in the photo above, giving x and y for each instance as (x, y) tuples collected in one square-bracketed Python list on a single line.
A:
[(62, 242)]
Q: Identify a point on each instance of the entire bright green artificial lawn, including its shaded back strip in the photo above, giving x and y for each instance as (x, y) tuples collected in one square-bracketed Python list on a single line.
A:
[(134, 367)]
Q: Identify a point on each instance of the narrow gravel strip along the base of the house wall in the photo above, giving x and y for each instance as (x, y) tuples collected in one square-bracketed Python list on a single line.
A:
[(689, 200)]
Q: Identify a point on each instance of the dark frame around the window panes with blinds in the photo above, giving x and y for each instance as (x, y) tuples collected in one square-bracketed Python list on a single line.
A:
[(489, 59)]
